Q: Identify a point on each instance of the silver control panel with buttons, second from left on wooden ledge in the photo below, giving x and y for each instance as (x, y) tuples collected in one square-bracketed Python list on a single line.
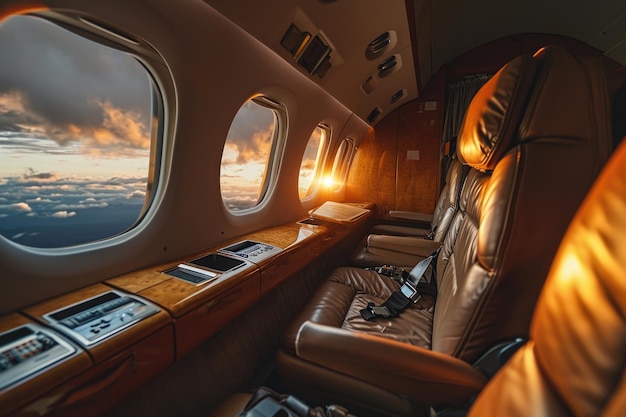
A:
[(95, 319)]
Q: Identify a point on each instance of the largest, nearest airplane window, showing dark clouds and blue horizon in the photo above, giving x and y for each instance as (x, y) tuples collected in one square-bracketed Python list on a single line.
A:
[(78, 134)]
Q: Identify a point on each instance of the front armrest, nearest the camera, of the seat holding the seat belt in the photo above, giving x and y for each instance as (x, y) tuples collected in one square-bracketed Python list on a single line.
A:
[(422, 375)]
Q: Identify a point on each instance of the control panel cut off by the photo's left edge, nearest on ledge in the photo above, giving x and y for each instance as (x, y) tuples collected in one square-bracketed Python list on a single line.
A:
[(28, 349)]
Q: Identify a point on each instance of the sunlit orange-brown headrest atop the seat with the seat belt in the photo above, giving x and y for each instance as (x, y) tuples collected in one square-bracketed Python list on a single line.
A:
[(491, 120)]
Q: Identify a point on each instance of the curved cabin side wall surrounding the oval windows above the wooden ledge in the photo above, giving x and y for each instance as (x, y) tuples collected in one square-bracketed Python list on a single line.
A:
[(201, 98)]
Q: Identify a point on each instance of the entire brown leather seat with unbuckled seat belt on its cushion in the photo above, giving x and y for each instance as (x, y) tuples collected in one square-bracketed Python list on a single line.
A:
[(535, 135)]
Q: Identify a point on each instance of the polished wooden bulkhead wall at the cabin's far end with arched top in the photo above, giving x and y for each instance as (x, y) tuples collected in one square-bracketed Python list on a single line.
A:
[(382, 172)]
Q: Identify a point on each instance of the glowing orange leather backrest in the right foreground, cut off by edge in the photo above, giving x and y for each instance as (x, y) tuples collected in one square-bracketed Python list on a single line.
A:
[(574, 362)]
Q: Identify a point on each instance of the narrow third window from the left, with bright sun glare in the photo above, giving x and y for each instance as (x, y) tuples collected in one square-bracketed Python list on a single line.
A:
[(312, 161)]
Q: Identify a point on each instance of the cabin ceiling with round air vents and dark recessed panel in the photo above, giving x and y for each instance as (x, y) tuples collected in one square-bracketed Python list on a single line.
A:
[(444, 30)]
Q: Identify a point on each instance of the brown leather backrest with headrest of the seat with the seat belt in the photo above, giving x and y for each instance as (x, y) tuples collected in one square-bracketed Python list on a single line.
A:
[(536, 135)]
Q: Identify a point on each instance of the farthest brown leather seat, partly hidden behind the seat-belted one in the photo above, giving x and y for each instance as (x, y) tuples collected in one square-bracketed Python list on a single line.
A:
[(405, 246)]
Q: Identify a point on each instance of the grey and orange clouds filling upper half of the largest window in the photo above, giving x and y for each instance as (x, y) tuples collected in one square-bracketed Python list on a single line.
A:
[(57, 86)]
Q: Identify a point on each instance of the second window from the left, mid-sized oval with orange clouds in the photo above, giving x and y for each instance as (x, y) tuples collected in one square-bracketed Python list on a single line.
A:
[(247, 159)]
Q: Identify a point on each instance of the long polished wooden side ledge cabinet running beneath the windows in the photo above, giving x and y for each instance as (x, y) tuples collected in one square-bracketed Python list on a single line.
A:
[(100, 374)]
